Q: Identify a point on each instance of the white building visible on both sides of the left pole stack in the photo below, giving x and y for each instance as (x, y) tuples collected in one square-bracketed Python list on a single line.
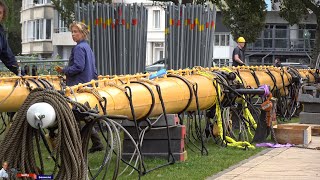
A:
[(45, 34)]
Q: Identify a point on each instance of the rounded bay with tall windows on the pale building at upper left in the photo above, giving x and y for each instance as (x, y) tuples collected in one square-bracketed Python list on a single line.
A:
[(37, 27)]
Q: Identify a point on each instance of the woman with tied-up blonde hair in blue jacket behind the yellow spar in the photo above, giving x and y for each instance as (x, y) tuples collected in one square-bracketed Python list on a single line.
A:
[(81, 68)]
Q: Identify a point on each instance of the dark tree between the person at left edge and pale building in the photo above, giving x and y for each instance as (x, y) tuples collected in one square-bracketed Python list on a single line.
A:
[(13, 26)]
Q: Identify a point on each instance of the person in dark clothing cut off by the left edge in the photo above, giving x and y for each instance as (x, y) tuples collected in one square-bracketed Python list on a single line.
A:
[(6, 54)]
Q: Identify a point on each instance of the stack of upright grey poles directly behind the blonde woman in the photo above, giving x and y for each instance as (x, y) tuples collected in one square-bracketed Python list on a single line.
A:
[(118, 35)]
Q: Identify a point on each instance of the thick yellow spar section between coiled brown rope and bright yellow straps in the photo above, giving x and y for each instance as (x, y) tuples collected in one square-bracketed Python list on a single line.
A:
[(177, 92)]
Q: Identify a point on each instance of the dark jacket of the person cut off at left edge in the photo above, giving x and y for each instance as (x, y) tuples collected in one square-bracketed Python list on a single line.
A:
[(6, 54)]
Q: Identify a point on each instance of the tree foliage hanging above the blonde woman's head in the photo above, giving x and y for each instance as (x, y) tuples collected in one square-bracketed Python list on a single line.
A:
[(66, 7)]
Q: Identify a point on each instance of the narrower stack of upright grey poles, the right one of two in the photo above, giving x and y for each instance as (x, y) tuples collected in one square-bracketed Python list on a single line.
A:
[(189, 35)]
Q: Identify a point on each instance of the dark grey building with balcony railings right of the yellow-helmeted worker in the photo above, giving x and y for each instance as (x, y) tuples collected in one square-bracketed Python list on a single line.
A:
[(279, 39)]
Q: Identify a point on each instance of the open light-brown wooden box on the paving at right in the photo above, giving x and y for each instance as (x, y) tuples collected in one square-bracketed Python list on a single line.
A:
[(293, 134)]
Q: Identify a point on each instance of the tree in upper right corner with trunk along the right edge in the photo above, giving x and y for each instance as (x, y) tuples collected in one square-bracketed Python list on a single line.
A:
[(295, 10)]
